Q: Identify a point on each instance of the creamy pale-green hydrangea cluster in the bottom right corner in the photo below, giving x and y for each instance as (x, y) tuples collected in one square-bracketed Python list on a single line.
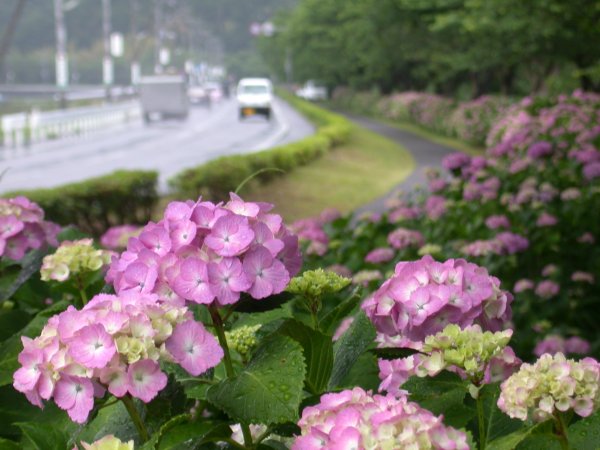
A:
[(552, 383)]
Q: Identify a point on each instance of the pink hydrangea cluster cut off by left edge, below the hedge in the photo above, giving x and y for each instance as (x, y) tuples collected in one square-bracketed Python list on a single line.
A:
[(22, 228)]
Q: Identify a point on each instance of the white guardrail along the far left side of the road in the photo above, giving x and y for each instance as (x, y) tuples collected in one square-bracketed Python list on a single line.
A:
[(23, 129)]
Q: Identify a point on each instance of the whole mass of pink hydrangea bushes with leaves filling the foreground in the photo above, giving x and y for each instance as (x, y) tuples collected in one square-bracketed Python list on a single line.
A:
[(444, 323)]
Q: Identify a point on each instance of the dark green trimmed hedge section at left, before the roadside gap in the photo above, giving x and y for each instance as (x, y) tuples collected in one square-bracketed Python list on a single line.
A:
[(94, 205)]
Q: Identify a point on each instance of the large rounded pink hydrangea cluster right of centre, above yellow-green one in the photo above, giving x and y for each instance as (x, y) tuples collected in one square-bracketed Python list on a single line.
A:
[(424, 296)]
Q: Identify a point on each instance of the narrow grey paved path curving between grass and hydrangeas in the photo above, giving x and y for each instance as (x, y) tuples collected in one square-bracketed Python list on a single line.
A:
[(425, 153)]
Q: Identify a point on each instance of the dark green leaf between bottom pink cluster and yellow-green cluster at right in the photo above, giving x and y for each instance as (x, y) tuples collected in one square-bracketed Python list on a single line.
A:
[(442, 394)]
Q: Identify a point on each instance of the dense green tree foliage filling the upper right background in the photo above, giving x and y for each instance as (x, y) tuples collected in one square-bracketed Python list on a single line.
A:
[(471, 46)]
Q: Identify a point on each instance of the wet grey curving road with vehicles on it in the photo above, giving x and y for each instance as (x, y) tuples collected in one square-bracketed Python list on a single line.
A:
[(167, 147)]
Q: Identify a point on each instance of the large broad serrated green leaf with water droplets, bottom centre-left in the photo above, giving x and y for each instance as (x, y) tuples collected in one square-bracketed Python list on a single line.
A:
[(269, 390)]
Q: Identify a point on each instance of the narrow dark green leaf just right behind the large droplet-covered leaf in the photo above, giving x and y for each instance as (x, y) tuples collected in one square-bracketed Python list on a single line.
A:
[(318, 353)]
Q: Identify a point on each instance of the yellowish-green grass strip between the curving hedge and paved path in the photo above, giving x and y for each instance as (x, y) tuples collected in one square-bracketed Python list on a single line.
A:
[(367, 167)]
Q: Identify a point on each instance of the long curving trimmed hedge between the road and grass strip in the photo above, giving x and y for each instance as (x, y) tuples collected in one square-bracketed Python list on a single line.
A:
[(215, 179)]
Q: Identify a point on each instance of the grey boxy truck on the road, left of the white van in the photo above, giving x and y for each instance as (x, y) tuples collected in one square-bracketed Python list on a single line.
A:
[(165, 96)]
